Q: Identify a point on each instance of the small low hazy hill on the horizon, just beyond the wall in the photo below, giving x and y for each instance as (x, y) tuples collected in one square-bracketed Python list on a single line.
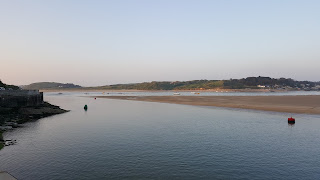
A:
[(50, 85)]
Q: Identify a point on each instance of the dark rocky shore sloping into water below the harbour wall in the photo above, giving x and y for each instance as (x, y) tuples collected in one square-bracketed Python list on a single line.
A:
[(11, 118)]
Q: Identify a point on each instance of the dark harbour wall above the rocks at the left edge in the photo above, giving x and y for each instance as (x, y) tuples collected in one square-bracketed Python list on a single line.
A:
[(20, 98)]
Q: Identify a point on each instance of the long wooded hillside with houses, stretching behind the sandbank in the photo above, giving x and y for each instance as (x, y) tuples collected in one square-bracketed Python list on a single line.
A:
[(249, 82)]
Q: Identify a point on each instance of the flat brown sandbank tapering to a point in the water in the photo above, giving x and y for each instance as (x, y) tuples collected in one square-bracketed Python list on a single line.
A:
[(309, 104)]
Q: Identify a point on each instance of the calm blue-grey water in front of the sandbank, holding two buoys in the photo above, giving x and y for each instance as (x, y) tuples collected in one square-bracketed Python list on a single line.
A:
[(117, 139)]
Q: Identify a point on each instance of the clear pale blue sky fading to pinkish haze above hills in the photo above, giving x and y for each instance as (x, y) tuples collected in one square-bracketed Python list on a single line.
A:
[(93, 43)]
